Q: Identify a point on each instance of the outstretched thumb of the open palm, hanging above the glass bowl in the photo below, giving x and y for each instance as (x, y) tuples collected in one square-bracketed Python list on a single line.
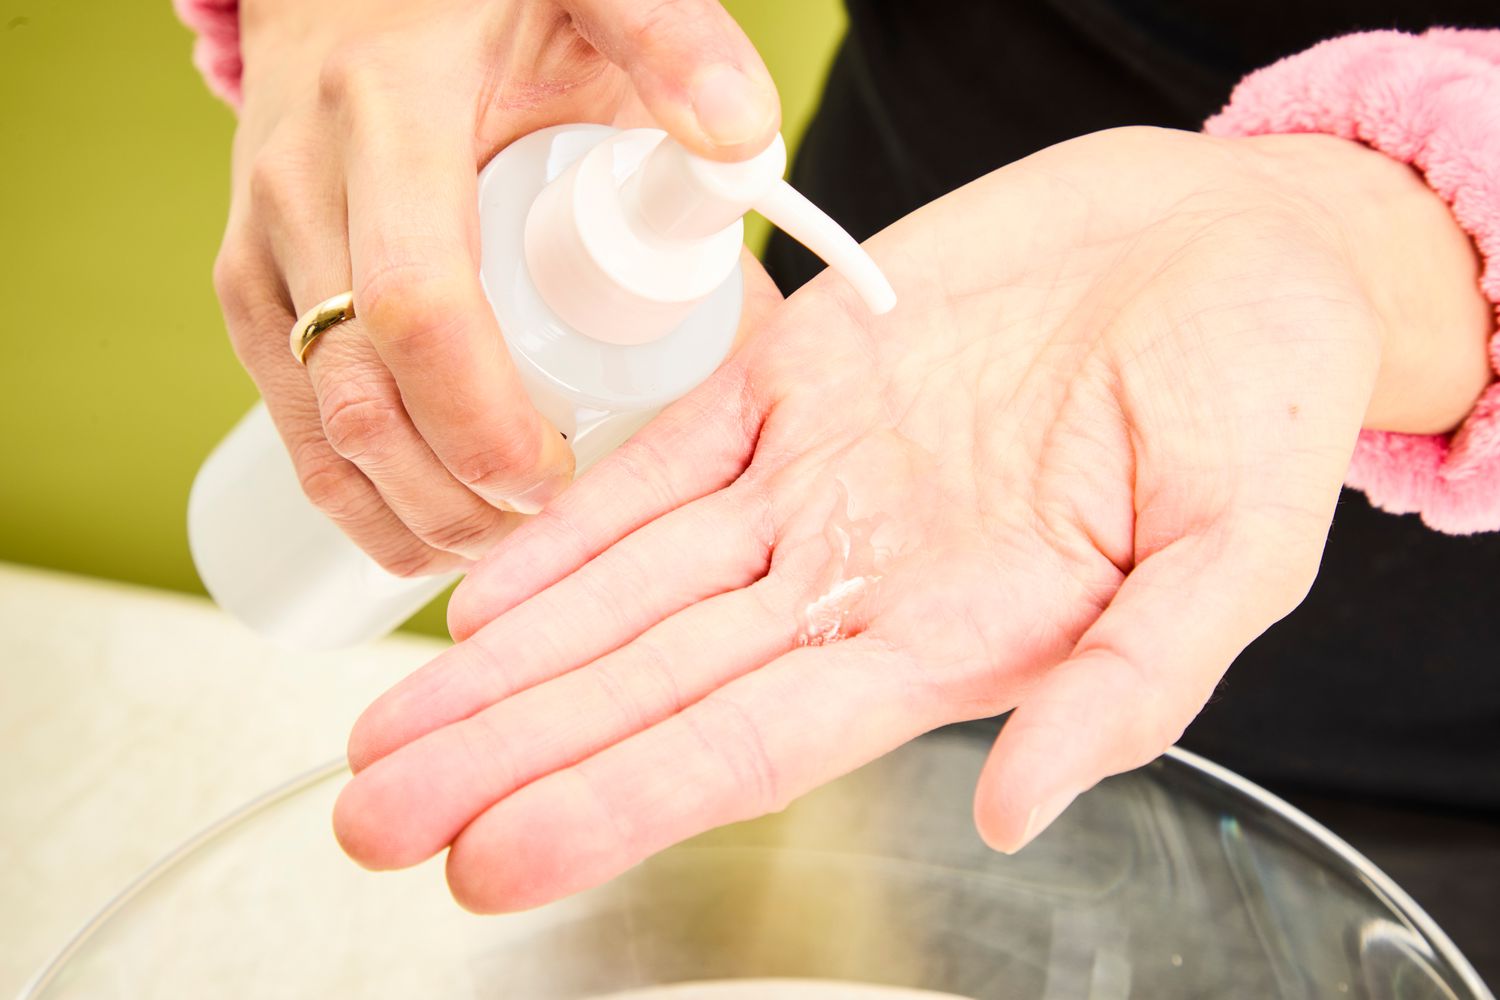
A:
[(1139, 675)]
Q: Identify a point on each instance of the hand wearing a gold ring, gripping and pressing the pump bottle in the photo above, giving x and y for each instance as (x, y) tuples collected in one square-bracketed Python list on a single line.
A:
[(364, 127)]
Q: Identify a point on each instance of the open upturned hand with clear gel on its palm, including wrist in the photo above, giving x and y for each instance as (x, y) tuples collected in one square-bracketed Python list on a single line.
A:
[(1090, 458)]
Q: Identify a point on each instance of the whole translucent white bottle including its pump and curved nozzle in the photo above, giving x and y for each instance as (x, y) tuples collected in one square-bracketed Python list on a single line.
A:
[(613, 263)]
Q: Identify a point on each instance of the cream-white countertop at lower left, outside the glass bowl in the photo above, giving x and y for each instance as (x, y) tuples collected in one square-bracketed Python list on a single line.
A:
[(131, 719)]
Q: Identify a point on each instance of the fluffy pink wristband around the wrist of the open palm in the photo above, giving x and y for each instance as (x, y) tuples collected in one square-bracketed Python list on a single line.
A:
[(1432, 101)]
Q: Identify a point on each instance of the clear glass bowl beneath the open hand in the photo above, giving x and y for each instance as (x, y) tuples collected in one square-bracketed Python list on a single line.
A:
[(1177, 881)]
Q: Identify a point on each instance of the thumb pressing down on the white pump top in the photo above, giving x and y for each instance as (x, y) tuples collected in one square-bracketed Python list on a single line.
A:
[(692, 67)]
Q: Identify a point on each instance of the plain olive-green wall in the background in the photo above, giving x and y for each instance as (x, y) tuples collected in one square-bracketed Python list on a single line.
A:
[(116, 379)]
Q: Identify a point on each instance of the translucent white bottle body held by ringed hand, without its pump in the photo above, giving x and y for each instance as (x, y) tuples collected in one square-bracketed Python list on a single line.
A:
[(281, 567)]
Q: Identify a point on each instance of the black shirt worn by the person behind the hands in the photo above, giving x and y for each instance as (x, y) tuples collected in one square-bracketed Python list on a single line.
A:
[(1385, 684)]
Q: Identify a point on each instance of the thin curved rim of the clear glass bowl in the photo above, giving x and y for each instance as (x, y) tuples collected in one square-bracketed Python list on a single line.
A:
[(1373, 876)]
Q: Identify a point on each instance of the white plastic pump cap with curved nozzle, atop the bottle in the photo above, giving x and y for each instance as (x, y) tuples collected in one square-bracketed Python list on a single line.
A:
[(634, 236)]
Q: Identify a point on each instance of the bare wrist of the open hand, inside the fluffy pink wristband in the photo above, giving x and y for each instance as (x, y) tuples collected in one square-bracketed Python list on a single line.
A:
[(1417, 268)]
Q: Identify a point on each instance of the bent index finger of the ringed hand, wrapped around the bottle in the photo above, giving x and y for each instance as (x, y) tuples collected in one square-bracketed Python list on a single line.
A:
[(415, 251)]
